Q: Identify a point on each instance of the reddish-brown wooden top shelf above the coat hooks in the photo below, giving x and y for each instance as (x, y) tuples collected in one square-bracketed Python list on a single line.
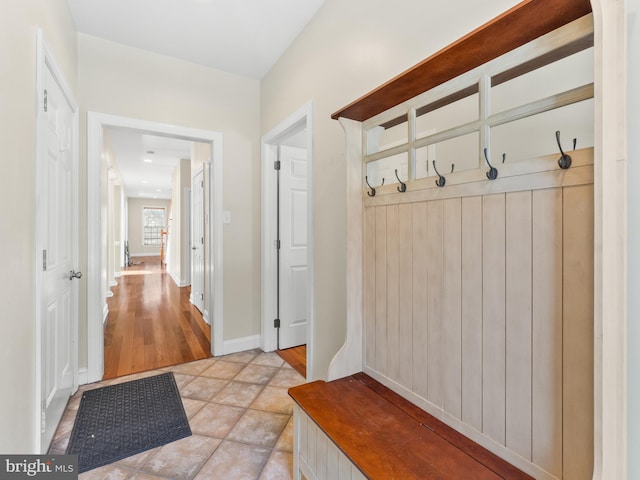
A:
[(517, 26)]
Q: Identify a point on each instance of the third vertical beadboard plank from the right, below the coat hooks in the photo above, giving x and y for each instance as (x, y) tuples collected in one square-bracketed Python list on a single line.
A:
[(518, 322)]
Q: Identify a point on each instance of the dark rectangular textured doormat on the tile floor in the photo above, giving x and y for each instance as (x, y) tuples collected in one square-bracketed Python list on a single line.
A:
[(121, 420)]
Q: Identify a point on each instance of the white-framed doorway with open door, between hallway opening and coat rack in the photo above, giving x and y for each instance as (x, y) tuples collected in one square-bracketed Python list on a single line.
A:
[(287, 235)]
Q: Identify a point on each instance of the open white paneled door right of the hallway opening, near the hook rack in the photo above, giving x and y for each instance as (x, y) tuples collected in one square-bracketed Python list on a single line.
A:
[(293, 247)]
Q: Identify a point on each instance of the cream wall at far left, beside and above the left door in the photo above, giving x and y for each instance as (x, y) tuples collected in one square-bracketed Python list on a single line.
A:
[(18, 24)]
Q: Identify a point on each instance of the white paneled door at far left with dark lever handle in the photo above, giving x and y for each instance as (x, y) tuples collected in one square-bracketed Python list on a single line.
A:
[(59, 292)]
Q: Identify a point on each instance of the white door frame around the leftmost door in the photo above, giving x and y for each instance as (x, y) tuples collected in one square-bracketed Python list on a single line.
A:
[(46, 61)]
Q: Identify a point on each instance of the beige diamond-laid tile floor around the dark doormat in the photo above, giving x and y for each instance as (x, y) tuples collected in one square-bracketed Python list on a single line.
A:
[(240, 416)]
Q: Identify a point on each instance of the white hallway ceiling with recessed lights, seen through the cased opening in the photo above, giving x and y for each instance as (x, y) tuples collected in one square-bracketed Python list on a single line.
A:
[(145, 174)]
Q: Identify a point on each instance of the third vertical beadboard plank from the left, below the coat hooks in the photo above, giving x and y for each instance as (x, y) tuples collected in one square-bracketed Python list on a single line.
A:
[(393, 294)]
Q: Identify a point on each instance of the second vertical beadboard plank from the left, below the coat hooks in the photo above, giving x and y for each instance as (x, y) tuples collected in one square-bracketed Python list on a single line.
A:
[(381, 290)]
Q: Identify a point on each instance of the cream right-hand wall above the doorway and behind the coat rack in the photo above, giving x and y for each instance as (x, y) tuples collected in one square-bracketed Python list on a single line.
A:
[(348, 49)]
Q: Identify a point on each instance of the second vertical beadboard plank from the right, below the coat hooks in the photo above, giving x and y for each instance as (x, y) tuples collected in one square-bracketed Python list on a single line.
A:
[(546, 438)]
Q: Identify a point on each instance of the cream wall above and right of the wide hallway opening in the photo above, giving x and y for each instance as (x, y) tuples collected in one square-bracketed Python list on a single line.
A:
[(129, 82)]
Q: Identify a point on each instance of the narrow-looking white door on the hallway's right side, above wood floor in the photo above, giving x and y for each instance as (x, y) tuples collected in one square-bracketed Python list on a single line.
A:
[(197, 240)]
